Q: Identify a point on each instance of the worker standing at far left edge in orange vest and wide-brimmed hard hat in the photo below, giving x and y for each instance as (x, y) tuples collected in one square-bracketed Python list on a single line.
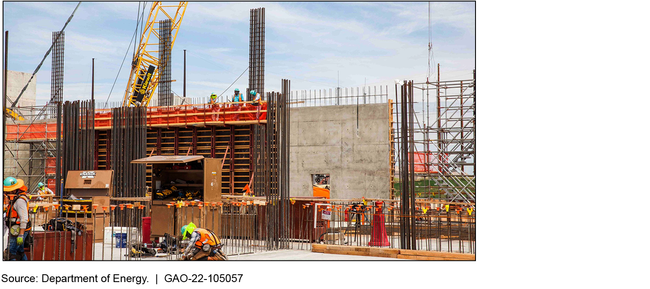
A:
[(17, 218)]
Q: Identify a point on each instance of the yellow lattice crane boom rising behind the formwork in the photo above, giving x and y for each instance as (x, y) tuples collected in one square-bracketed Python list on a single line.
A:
[(146, 65)]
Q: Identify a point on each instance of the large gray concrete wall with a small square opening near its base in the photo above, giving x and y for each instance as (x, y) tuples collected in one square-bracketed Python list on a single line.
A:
[(325, 140)]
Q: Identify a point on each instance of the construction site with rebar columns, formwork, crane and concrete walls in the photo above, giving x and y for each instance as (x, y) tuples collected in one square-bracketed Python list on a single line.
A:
[(386, 172)]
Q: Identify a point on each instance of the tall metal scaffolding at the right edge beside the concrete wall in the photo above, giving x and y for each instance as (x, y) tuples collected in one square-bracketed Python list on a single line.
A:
[(444, 125)]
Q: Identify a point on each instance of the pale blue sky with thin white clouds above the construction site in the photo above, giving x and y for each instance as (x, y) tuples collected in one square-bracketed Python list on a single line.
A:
[(308, 43)]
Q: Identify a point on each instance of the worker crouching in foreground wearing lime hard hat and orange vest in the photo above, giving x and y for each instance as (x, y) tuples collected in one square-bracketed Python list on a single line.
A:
[(203, 245)]
